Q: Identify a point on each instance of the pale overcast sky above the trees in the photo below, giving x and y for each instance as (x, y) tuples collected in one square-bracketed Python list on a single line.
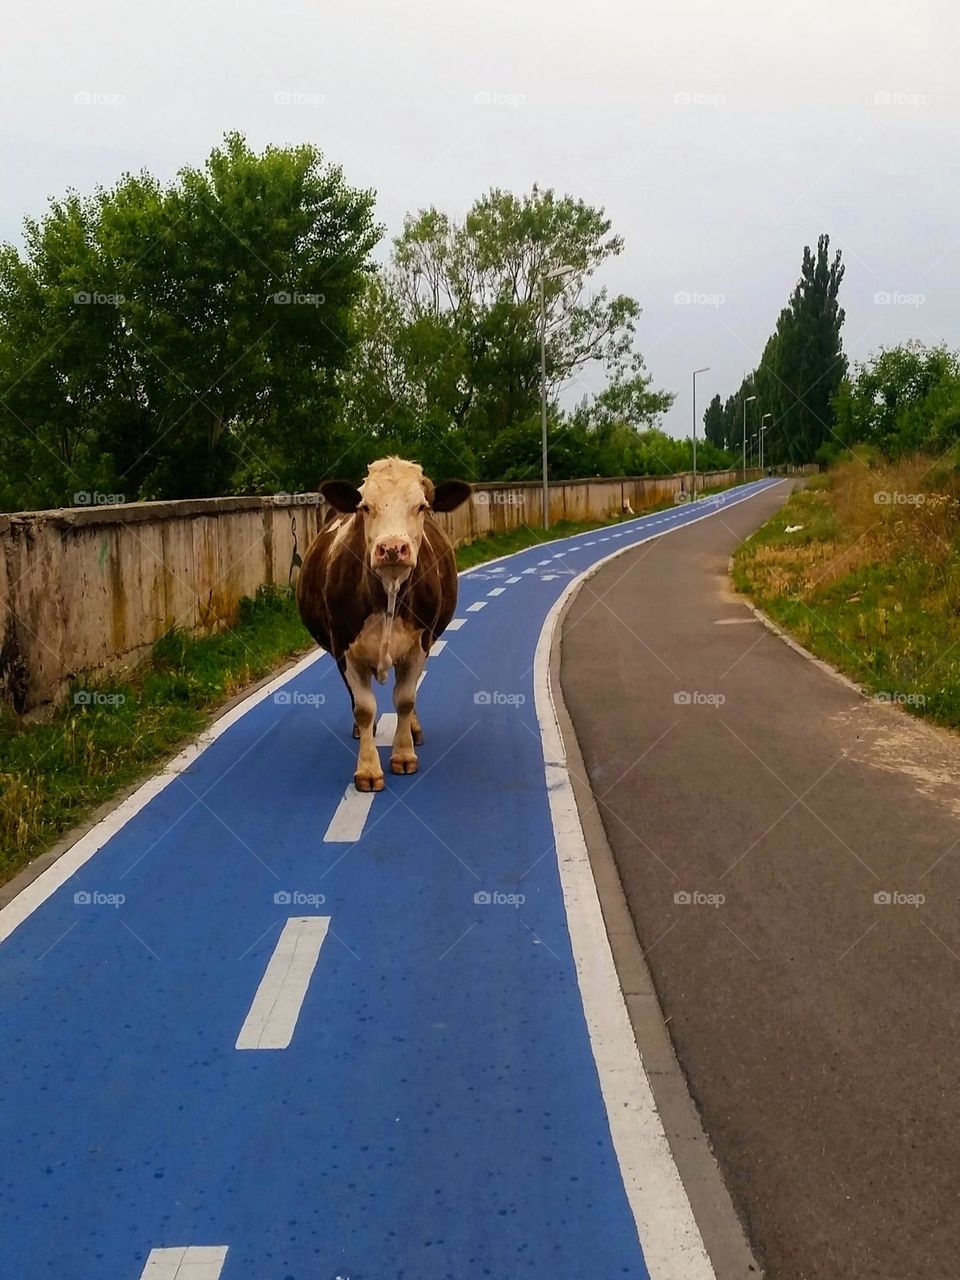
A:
[(720, 138)]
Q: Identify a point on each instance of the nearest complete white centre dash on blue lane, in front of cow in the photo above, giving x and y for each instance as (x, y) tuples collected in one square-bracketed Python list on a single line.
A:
[(280, 998)]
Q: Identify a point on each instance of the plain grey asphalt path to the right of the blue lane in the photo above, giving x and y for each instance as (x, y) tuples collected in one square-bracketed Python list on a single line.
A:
[(820, 1028)]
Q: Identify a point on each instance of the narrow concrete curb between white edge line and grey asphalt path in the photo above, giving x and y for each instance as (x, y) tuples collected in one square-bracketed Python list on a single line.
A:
[(723, 1231)]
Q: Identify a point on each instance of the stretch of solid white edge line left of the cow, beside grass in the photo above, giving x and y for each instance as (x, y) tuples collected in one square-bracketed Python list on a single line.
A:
[(35, 894)]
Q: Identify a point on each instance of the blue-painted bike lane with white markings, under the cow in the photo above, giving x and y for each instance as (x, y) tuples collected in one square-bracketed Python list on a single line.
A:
[(258, 1026)]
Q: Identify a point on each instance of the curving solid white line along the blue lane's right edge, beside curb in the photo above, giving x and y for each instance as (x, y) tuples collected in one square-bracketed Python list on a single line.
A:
[(669, 1235)]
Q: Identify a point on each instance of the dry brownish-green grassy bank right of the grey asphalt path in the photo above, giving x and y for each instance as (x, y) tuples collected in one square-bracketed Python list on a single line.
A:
[(871, 582)]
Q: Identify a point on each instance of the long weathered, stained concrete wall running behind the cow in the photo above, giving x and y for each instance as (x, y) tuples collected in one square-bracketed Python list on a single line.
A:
[(88, 592)]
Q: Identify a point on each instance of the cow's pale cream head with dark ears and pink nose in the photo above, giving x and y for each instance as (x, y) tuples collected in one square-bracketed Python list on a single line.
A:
[(392, 504)]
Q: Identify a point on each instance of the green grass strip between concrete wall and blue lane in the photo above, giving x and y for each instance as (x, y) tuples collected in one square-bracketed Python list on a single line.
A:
[(112, 733)]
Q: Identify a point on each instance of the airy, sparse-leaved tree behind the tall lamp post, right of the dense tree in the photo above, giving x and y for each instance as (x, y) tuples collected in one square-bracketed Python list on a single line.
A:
[(459, 309)]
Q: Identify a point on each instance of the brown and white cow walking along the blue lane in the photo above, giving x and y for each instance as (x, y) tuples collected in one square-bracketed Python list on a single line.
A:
[(378, 586)]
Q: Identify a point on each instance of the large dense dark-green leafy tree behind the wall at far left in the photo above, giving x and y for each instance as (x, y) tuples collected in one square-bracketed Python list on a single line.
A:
[(185, 340)]
